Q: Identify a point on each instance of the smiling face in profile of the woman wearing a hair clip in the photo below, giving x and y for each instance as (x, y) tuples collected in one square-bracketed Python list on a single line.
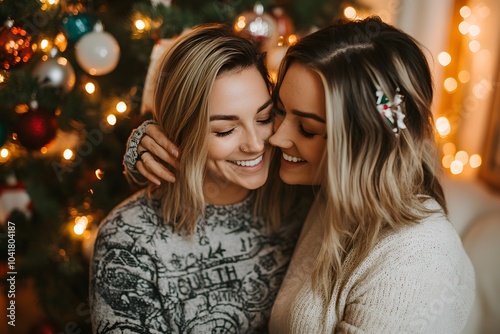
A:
[(300, 129)]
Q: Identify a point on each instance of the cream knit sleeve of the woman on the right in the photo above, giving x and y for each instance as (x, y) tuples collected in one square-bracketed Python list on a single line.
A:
[(419, 282)]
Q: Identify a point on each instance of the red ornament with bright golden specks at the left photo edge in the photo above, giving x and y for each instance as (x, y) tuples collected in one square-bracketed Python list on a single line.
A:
[(15, 45)]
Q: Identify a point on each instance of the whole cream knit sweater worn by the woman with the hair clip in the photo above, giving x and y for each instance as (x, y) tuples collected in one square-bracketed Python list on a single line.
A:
[(417, 279)]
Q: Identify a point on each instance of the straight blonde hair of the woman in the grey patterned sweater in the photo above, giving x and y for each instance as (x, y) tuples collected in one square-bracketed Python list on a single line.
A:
[(184, 83)]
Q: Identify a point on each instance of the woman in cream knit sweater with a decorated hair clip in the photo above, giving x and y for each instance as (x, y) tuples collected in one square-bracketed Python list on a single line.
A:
[(377, 253)]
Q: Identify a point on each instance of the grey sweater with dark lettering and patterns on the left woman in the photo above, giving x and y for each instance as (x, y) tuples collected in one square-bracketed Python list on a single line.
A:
[(146, 278)]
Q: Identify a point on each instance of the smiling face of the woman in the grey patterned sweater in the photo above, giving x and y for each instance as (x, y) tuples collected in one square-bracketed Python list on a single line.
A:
[(239, 153)]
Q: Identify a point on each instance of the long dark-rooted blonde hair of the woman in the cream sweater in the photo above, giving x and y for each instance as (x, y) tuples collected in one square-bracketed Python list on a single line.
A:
[(375, 179)]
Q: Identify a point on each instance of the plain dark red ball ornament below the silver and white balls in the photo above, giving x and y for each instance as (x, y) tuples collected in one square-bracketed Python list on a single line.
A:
[(36, 129)]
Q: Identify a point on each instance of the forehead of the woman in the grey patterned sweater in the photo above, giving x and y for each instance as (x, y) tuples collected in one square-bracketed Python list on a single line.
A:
[(238, 91)]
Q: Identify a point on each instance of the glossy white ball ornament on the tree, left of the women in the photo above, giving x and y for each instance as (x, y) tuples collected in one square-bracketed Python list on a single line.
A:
[(97, 52)]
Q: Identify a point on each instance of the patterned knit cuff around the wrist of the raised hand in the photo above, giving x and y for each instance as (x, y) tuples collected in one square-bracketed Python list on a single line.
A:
[(131, 155)]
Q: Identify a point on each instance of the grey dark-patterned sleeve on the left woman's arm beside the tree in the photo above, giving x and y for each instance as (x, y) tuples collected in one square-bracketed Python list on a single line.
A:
[(124, 293)]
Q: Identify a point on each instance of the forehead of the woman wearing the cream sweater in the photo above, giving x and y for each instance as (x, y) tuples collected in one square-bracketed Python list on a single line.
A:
[(302, 89)]
